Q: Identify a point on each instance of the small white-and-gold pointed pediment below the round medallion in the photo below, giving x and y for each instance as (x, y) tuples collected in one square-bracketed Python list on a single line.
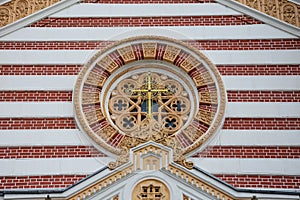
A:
[(152, 171)]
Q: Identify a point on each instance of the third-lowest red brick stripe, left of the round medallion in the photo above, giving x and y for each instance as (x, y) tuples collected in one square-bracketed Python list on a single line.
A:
[(37, 123)]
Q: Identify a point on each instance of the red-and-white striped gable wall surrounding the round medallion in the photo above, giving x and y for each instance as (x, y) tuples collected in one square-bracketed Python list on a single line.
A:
[(258, 63)]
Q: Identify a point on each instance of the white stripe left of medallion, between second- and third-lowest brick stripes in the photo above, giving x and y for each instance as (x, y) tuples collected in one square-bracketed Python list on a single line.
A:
[(43, 137)]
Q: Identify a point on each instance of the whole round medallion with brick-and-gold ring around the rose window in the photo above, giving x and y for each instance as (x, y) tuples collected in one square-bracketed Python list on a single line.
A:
[(149, 89)]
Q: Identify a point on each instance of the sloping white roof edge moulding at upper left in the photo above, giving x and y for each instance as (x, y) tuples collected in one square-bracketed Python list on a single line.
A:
[(36, 16)]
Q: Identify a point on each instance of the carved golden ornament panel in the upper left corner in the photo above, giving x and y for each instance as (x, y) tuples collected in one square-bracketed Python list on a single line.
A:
[(18, 9)]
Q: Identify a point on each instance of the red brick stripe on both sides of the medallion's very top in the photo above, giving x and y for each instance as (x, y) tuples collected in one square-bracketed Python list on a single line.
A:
[(200, 44)]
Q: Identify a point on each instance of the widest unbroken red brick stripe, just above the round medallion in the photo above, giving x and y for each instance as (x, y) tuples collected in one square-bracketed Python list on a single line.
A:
[(147, 21)]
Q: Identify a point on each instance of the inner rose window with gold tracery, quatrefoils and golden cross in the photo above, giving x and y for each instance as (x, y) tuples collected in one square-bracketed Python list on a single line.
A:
[(147, 103)]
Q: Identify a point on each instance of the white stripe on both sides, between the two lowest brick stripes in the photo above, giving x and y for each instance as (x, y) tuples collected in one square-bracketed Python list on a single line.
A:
[(56, 166)]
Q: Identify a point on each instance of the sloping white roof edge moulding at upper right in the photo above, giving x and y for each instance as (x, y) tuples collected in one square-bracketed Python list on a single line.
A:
[(284, 26)]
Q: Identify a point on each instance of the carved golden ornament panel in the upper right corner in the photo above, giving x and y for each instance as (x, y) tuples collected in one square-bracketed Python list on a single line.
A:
[(283, 10)]
